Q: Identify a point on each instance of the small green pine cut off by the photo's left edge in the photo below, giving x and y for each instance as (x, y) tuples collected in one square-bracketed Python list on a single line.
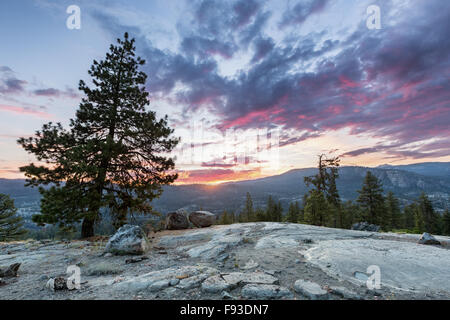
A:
[(11, 225)]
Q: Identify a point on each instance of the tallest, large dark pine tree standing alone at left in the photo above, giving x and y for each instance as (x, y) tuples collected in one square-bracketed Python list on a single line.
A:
[(112, 155)]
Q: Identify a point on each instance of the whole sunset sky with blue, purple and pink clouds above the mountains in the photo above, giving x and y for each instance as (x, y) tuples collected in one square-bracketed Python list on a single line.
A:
[(253, 88)]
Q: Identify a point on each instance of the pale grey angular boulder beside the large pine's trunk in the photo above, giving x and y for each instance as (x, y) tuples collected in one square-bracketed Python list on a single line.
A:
[(129, 239)]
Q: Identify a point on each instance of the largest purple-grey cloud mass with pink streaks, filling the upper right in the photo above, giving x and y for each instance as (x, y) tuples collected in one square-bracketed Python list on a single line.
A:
[(391, 84)]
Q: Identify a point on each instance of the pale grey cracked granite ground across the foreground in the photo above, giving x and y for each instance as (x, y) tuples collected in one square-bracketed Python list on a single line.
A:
[(240, 261)]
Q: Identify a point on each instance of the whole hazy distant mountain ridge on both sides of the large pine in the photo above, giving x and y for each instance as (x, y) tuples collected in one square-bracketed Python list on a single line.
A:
[(406, 181)]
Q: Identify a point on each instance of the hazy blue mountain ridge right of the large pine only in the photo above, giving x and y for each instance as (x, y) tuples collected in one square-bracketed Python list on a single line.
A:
[(289, 186)]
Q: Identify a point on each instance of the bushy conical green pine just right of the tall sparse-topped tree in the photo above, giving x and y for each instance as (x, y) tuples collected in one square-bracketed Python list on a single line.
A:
[(371, 199)]
